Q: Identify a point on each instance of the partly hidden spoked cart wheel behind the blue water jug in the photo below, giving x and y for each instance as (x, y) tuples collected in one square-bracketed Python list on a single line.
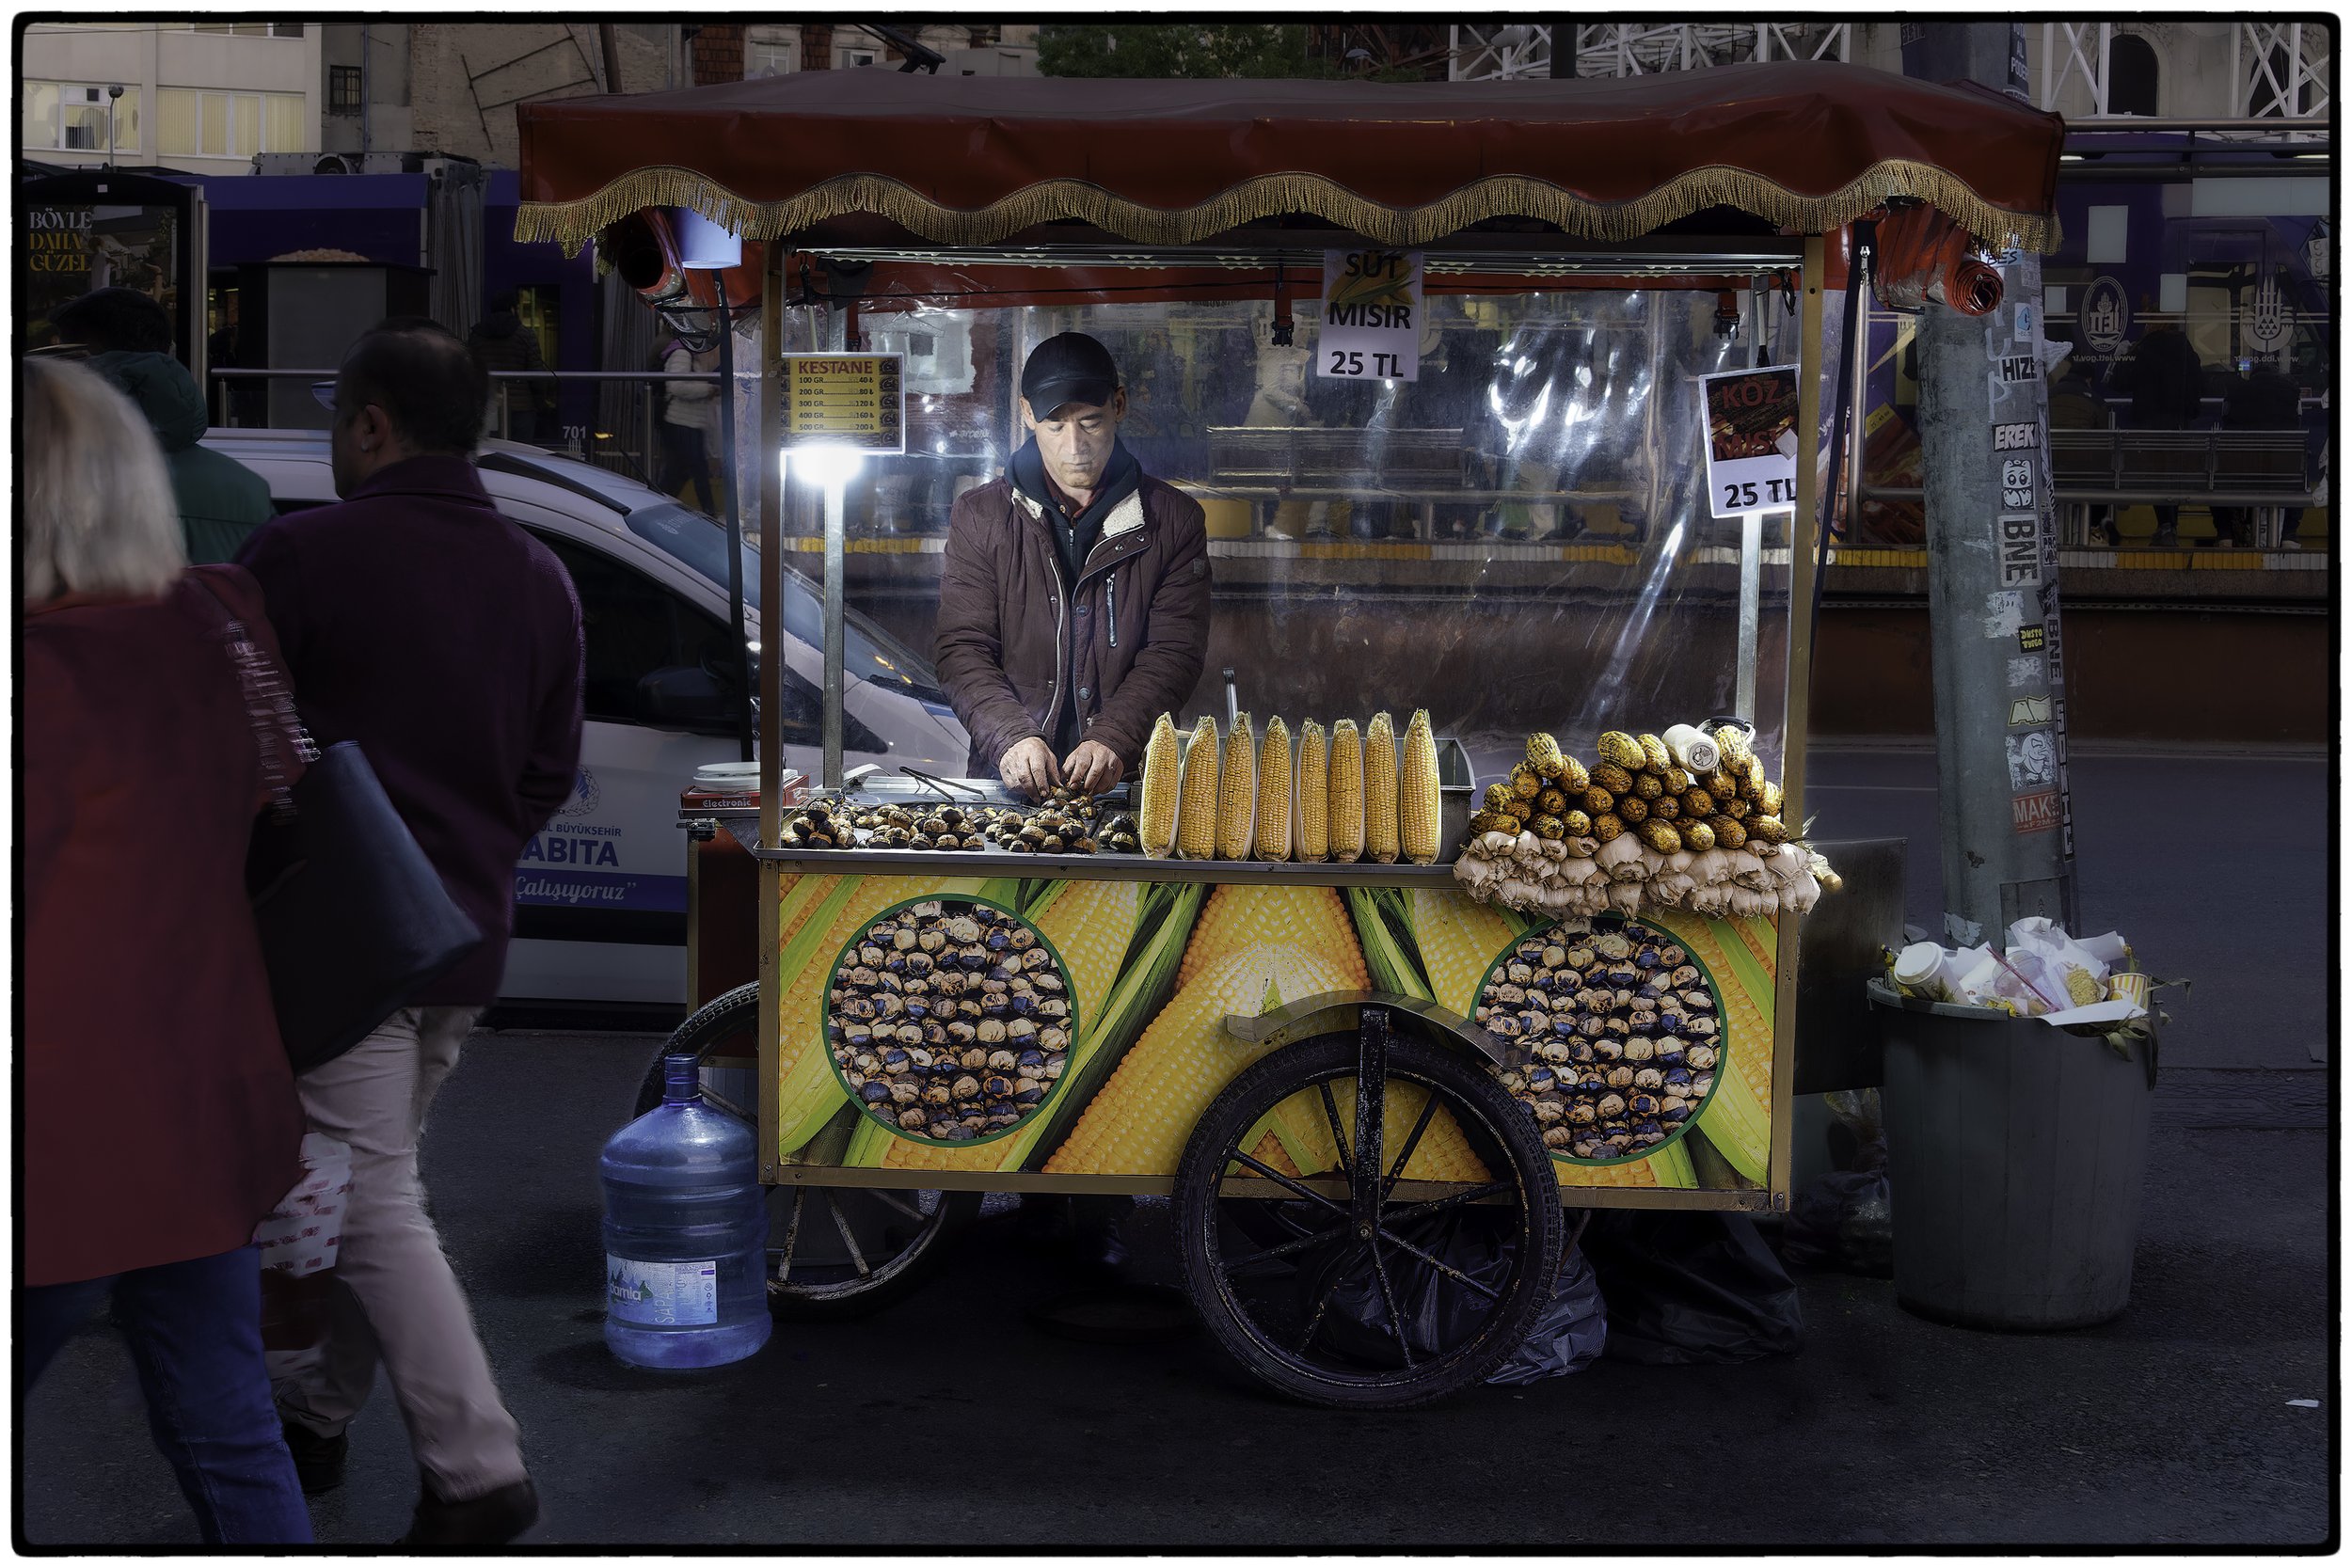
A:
[(831, 1252)]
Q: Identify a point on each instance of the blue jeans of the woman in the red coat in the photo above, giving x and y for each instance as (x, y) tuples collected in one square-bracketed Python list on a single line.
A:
[(196, 1341)]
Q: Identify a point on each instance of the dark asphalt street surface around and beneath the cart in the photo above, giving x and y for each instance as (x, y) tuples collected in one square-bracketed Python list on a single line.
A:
[(951, 1421)]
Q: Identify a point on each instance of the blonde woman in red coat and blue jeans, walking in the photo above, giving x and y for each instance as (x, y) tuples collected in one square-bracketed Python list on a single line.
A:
[(159, 1108)]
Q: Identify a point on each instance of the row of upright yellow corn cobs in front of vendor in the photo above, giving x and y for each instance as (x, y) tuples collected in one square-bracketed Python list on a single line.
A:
[(1351, 796)]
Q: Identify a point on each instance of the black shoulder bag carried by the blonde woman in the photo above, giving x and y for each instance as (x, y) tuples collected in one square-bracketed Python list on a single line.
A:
[(354, 918)]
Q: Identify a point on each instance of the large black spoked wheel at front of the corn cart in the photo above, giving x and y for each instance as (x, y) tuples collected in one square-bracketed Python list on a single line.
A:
[(1264, 1273)]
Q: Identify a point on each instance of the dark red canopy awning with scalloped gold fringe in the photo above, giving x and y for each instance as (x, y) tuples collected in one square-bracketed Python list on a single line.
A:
[(973, 161)]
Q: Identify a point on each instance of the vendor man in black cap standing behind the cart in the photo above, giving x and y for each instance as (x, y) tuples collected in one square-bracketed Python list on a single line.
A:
[(1074, 601)]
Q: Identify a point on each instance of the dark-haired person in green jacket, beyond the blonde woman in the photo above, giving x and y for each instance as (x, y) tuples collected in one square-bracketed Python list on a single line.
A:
[(131, 342)]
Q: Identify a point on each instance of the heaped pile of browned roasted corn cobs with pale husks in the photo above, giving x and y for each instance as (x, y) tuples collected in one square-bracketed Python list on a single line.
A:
[(1638, 826)]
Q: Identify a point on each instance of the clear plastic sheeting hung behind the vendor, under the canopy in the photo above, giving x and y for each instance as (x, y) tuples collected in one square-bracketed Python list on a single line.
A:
[(1518, 540)]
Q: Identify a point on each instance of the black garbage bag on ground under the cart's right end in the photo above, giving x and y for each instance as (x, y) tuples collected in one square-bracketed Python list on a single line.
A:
[(1692, 1287)]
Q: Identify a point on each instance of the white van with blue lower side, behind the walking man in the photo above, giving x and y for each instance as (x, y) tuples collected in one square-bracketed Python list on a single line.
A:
[(601, 894)]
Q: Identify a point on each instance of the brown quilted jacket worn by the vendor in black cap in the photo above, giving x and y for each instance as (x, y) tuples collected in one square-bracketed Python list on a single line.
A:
[(1132, 641)]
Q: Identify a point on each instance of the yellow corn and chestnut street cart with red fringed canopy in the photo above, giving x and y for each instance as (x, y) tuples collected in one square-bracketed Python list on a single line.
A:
[(1368, 1085)]
